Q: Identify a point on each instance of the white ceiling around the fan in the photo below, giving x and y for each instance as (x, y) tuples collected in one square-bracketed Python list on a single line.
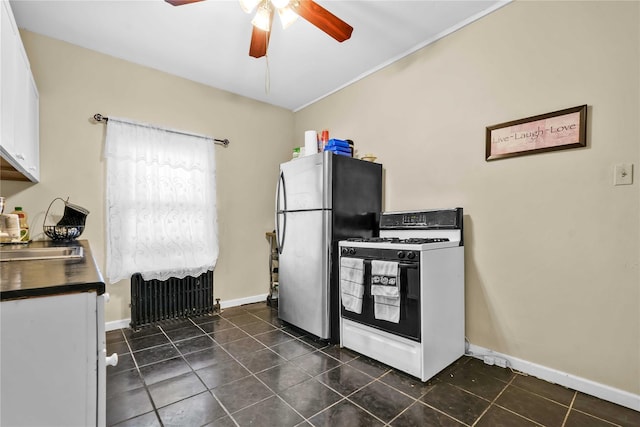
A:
[(208, 42)]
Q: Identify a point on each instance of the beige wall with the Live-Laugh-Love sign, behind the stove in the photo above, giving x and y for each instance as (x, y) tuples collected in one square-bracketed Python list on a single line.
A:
[(552, 247)]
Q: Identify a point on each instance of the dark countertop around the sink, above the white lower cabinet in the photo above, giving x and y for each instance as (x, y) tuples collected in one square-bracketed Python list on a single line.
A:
[(26, 279)]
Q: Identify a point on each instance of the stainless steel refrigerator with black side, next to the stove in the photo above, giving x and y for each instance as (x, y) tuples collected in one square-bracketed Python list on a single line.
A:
[(320, 199)]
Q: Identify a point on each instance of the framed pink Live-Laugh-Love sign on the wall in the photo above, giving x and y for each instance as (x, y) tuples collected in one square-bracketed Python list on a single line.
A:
[(546, 132)]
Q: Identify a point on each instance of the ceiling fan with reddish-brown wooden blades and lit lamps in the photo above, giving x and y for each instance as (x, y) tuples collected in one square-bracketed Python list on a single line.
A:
[(288, 10)]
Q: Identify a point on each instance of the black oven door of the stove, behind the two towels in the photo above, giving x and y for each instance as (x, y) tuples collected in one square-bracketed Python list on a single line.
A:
[(408, 325)]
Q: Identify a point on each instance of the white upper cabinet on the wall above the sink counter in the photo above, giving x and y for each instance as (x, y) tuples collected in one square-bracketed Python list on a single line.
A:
[(19, 100)]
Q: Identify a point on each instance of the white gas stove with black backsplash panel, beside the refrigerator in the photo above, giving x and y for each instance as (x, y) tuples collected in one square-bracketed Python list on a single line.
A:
[(426, 333)]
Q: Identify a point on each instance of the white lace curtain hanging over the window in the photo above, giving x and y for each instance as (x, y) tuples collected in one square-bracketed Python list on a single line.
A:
[(161, 202)]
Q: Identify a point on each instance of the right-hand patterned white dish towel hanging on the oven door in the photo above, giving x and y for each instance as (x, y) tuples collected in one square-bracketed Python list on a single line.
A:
[(385, 288)]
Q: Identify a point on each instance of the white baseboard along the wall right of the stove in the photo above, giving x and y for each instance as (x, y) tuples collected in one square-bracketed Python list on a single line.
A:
[(601, 391)]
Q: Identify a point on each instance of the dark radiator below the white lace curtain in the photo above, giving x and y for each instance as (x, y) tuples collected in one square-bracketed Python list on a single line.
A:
[(156, 300)]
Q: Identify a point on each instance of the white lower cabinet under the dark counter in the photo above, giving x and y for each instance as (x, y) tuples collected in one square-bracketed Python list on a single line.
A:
[(52, 352)]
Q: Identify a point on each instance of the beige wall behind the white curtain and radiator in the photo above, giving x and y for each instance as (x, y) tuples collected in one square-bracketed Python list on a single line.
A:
[(75, 83)]
